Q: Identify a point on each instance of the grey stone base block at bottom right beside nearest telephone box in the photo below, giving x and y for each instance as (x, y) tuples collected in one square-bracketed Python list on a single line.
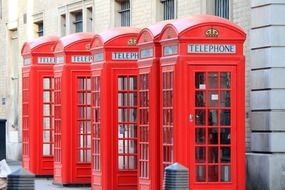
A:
[(265, 171)]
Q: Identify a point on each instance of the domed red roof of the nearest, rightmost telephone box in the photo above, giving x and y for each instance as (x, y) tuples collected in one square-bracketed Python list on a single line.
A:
[(190, 28)]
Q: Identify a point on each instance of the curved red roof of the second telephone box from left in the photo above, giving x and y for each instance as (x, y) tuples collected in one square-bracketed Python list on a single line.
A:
[(79, 42)]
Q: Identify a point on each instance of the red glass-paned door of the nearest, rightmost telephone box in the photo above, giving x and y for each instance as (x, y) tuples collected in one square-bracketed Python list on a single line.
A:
[(212, 126)]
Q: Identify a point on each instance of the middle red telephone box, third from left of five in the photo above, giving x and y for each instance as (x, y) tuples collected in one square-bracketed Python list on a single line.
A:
[(114, 108)]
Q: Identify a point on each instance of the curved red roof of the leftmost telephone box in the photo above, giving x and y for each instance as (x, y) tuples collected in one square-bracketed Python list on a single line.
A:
[(44, 44)]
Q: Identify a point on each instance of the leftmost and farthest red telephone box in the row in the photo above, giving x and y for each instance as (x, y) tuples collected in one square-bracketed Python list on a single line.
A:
[(37, 105)]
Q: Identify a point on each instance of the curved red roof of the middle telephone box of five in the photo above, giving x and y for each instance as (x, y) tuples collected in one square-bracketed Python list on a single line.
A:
[(111, 37)]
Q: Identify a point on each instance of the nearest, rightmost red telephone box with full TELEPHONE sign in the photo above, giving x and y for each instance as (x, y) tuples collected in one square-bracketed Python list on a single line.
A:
[(202, 108)]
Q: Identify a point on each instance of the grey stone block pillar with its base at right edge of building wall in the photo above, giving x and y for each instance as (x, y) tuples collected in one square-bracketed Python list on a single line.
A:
[(266, 162)]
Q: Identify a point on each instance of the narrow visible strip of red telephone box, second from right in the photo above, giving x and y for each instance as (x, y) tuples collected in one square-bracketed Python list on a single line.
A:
[(149, 140)]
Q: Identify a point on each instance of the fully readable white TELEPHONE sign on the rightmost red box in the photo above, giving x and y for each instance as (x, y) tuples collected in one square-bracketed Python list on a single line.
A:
[(212, 48)]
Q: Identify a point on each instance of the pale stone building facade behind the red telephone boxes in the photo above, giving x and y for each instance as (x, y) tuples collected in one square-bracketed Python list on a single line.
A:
[(23, 20)]
